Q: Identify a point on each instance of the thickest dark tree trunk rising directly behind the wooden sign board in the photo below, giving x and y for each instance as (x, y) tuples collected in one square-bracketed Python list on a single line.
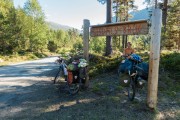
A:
[(108, 20)]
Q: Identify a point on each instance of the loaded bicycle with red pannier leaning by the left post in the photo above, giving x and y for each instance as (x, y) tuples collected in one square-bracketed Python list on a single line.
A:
[(74, 74)]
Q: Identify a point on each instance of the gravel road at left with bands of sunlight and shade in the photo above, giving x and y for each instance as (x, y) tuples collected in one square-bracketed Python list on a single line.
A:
[(20, 83)]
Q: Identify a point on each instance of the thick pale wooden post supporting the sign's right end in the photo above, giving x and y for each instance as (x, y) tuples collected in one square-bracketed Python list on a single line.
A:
[(154, 58)]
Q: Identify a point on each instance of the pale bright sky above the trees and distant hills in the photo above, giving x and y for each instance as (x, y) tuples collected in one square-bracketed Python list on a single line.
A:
[(72, 12)]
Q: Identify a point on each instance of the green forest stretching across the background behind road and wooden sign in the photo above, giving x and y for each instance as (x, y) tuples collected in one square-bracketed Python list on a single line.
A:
[(24, 30)]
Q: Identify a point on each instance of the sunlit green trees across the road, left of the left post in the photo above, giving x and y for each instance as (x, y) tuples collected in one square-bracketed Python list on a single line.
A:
[(25, 30)]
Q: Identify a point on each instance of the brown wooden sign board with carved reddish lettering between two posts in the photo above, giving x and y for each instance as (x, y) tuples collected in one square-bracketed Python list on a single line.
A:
[(123, 28)]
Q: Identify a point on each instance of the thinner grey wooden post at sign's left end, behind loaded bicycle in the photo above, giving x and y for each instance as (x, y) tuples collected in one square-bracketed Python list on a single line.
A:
[(86, 25)]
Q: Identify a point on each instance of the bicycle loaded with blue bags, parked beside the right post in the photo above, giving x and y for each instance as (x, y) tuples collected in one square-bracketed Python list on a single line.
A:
[(136, 71)]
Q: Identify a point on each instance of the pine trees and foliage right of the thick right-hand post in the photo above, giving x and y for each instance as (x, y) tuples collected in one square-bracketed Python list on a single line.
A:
[(172, 33)]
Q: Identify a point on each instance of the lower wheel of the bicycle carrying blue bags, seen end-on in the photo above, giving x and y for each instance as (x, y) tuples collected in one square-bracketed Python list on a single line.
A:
[(131, 90)]
